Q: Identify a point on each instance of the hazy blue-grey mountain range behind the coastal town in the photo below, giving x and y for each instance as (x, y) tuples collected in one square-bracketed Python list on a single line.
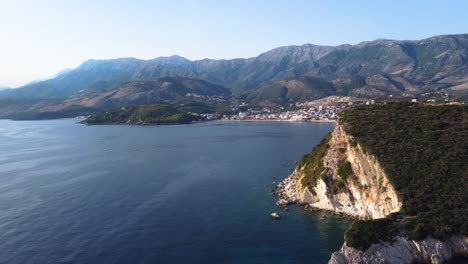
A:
[(282, 75)]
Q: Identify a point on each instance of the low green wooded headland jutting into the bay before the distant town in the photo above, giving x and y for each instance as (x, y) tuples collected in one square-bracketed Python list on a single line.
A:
[(144, 114)]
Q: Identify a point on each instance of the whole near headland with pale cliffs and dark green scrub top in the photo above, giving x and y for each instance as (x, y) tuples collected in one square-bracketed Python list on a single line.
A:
[(403, 218)]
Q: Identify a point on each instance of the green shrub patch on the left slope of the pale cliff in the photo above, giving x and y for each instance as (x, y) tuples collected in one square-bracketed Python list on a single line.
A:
[(313, 163)]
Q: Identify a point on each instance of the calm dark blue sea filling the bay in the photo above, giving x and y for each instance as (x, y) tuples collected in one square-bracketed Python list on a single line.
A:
[(71, 193)]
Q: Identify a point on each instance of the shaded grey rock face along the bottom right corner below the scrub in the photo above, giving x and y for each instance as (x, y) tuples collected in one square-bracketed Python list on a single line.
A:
[(404, 251)]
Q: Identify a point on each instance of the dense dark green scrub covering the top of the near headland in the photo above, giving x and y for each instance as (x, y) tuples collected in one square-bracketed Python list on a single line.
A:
[(424, 151)]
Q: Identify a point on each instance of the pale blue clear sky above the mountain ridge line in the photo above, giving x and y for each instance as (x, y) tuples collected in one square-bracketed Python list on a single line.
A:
[(39, 38)]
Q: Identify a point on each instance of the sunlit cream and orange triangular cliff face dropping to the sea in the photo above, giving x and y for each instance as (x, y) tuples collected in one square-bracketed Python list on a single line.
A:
[(366, 193)]
